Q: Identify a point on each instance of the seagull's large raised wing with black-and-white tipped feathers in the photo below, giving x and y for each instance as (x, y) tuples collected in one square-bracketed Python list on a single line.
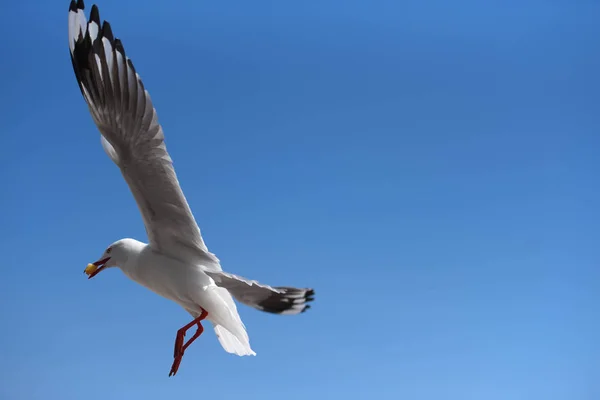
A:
[(132, 137)]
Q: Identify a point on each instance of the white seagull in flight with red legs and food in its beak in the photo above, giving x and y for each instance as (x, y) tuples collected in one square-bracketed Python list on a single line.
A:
[(175, 263)]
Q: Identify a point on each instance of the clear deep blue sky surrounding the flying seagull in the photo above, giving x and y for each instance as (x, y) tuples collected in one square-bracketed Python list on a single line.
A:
[(430, 169)]
